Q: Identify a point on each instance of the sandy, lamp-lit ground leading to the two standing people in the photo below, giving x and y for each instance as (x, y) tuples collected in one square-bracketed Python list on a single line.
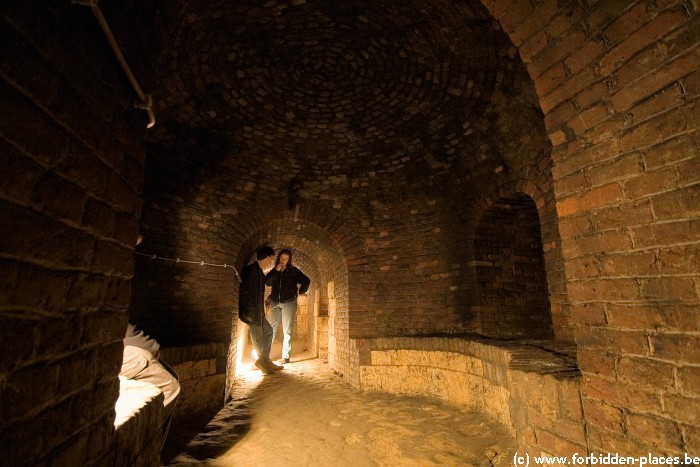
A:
[(308, 415)]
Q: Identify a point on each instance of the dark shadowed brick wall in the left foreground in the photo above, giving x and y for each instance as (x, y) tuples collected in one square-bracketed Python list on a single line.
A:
[(72, 163)]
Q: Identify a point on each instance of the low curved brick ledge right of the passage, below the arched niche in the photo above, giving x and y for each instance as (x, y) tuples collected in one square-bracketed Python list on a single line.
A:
[(531, 386)]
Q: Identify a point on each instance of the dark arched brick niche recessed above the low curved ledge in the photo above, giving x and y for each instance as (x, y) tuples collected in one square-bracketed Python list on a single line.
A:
[(512, 298)]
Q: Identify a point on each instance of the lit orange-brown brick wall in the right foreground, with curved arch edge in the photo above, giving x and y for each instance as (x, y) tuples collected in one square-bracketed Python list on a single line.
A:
[(617, 82)]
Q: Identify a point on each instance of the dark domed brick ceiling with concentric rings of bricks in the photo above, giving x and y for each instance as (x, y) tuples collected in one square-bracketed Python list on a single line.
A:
[(344, 90)]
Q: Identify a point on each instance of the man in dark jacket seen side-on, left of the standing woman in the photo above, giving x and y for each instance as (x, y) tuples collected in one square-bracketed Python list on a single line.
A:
[(251, 308)]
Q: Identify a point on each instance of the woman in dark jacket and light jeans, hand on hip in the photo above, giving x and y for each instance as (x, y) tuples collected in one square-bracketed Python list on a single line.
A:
[(287, 282)]
